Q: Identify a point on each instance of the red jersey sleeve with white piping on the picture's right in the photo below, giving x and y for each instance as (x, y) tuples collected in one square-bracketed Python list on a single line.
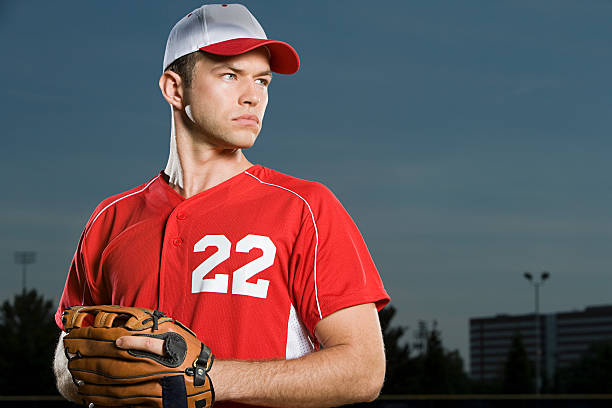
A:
[(332, 267)]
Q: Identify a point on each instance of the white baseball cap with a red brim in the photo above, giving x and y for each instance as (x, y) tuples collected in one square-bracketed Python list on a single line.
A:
[(226, 29)]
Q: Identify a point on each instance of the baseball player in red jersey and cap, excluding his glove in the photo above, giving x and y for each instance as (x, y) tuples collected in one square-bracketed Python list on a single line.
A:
[(268, 270)]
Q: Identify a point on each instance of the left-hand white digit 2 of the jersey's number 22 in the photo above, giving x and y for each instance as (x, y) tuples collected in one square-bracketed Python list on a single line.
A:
[(218, 284)]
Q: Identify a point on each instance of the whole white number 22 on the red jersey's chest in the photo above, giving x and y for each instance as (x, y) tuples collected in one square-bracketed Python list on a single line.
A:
[(240, 286)]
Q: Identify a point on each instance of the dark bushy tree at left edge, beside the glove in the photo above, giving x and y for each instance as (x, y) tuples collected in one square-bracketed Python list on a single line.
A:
[(29, 335)]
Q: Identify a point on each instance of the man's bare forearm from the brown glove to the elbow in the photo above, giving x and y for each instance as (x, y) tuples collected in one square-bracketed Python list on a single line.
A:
[(330, 377)]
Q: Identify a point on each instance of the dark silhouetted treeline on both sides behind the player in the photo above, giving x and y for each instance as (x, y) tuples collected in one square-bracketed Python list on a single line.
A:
[(419, 366)]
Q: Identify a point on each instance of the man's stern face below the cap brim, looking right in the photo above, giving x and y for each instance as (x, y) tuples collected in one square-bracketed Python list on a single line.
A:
[(228, 97)]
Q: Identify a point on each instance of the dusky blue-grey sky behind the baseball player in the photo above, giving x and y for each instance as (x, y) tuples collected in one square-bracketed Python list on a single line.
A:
[(470, 140)]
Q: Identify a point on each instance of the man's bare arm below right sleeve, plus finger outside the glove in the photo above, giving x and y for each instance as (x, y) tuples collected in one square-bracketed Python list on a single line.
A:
[(351, 368)]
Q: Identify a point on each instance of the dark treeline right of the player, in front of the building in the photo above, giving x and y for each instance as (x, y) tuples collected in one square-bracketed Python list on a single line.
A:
[(424, 366)]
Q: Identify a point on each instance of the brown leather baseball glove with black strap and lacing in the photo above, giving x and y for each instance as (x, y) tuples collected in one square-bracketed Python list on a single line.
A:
[(109, 376)]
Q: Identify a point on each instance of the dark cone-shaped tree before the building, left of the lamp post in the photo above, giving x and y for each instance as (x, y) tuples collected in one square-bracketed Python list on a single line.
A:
[(518, 375)]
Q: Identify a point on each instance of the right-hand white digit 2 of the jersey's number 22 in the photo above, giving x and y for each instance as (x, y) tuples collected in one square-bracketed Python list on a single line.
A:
[(240, 286)]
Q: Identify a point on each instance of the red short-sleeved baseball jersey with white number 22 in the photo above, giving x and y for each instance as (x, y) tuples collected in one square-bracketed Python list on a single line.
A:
[(250, 265)]
